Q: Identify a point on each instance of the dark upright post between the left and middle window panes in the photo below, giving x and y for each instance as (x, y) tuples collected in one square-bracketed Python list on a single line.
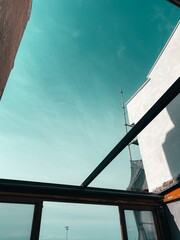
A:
[(36, 221)]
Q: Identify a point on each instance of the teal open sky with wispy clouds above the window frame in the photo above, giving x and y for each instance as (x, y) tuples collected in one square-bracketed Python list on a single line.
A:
[(60, 114)]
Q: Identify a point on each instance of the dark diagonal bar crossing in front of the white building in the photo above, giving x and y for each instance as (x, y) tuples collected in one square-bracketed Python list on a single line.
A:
[(166, 98)]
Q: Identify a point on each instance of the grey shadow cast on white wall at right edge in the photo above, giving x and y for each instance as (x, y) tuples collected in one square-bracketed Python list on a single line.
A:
[(171, 146)]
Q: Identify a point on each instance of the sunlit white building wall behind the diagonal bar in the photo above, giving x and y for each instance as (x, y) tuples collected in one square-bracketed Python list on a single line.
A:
[(160, 141)]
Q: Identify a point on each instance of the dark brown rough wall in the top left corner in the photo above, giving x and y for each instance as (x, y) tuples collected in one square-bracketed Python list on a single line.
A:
[(14, 15)]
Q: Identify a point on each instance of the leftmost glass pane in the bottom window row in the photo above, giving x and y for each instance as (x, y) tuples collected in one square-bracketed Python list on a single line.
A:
[(15, 221)]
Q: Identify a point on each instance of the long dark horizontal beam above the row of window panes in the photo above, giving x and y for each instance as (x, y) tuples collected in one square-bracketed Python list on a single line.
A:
[(24, 191)]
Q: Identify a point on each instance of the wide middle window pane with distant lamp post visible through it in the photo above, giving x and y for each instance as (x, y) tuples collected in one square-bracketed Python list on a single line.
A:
[(86, 222)]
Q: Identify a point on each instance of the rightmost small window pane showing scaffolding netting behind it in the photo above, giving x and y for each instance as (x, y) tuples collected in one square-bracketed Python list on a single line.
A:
[(140, 225)]
